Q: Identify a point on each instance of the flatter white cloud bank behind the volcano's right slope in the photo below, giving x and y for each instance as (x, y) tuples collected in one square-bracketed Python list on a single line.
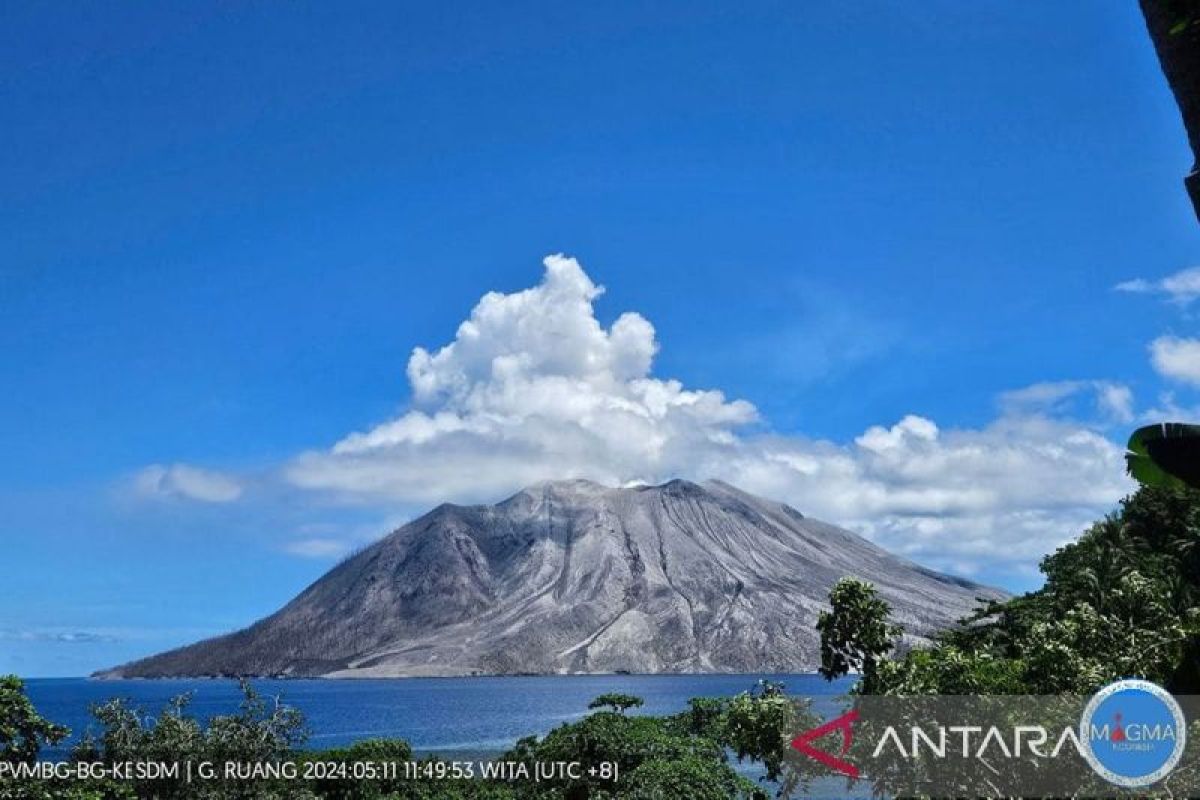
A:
[(1000, 496)]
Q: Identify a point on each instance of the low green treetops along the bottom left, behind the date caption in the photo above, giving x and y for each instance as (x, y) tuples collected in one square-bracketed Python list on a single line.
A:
[(680, 757)]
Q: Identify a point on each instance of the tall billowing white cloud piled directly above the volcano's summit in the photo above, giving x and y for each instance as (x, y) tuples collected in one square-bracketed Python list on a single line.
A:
[(532, 387)]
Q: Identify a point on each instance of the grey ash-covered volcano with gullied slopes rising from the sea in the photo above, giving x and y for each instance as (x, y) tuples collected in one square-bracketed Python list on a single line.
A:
[(578, 578)]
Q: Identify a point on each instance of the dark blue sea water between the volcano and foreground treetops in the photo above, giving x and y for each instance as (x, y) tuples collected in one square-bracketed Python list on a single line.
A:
[(453, 717)]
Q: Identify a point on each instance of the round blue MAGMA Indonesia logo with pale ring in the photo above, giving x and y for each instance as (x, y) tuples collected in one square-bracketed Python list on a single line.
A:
[(1133, 733)]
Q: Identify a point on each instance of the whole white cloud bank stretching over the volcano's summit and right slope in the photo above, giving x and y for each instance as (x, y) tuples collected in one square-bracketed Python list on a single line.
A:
[(533, 388)]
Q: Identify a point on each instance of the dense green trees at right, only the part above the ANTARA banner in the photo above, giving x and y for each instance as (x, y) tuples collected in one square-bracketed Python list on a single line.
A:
[(1121, 601)]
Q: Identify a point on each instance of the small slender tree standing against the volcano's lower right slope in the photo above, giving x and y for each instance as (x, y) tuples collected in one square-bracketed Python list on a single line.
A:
[(855, 633)]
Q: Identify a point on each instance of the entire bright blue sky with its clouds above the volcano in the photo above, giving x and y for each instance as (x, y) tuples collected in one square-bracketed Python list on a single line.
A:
[(872, 228)]
